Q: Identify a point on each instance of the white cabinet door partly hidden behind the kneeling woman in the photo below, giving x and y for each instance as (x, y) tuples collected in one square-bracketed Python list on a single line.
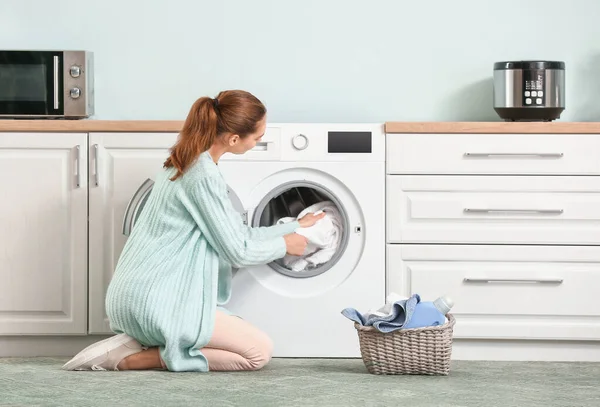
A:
[(119, 164)]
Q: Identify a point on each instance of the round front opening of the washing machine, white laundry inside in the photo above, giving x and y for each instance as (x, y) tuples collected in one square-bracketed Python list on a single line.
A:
[(284, 196)]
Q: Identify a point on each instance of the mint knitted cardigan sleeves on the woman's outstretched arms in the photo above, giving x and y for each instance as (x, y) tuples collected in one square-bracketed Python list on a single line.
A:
[(221, 224)]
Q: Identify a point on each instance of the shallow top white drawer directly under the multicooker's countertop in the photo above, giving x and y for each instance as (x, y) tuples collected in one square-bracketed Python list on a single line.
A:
[(493, 154)]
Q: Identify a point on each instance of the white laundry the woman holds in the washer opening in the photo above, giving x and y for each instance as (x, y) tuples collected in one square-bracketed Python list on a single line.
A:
[(323, 237)]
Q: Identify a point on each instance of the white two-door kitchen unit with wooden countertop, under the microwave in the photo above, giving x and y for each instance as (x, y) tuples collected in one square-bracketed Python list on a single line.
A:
[(67, 184)]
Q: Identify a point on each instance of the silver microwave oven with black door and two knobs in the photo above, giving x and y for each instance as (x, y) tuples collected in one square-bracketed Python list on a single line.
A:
[(46, 84)]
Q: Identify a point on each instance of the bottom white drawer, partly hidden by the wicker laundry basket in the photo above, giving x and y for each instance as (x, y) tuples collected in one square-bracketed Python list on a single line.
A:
[(506, 292)]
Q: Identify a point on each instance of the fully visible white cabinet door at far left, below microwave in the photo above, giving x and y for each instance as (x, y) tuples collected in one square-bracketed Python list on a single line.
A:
[(43, 233)]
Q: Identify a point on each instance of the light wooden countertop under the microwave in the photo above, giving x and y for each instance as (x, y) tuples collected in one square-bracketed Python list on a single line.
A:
[(85, 126)]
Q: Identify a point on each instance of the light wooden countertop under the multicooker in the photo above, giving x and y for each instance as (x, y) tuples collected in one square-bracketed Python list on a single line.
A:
[(494, 127)]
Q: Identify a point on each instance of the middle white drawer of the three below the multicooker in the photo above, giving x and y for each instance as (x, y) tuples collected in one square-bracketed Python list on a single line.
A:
[(493, 209)]
